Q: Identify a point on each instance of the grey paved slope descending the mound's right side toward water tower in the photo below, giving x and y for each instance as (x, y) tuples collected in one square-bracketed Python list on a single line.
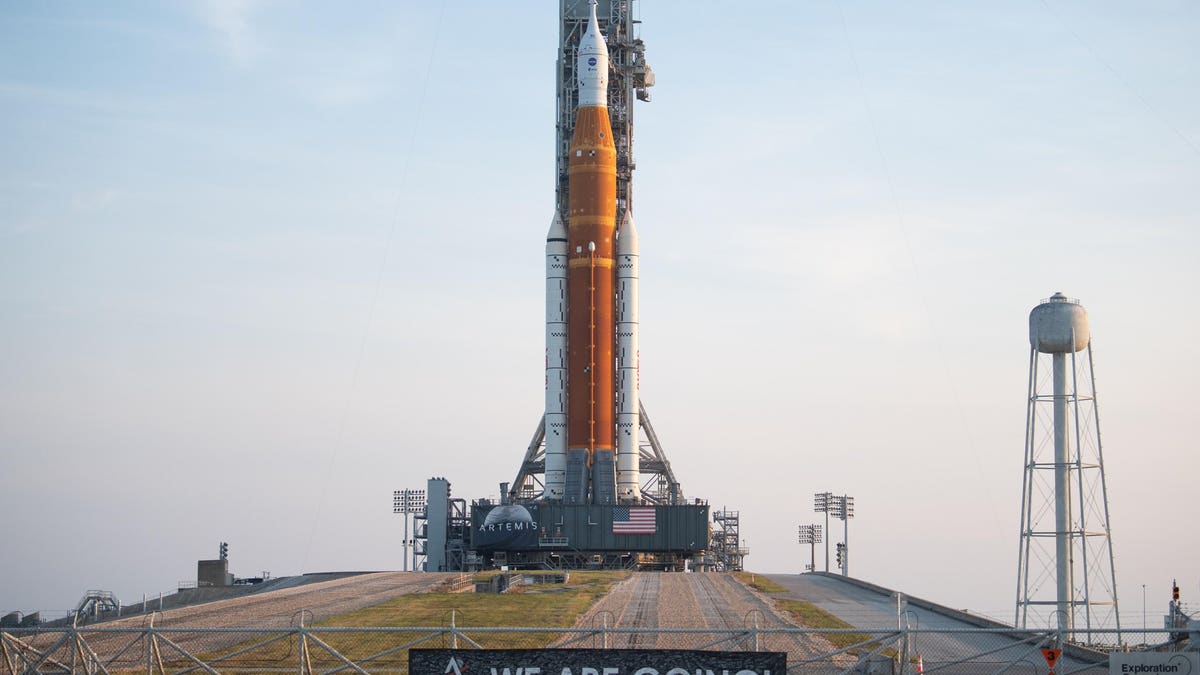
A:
[(874, 608)]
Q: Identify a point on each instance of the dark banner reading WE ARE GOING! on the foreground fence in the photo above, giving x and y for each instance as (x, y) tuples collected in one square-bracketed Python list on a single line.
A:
[(593, 662)]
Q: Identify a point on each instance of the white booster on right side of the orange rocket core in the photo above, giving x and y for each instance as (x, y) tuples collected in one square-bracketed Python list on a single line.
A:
[(628, 409)]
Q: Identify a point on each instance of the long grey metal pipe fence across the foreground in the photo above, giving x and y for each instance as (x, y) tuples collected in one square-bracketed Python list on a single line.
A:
[(328, 650)]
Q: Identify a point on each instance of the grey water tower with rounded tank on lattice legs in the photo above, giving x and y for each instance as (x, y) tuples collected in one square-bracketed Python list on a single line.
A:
[(1066, 577)]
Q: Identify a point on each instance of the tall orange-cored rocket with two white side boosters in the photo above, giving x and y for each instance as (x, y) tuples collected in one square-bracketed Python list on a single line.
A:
[(592, 402)]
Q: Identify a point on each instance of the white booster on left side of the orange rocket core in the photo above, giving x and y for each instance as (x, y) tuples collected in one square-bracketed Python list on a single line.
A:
[(556, 360)]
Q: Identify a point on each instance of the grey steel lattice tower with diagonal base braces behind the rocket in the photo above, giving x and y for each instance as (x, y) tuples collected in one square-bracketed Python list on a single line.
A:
[(629, 79)]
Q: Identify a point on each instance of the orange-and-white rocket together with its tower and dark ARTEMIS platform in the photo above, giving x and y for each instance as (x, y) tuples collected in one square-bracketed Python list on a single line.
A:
[(591, 492)]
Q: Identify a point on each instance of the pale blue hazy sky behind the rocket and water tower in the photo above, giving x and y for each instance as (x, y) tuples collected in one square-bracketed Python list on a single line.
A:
[(263, 264)]
